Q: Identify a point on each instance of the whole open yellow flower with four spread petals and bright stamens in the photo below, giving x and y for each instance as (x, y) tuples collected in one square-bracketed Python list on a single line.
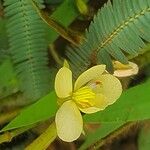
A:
[(93, 91)]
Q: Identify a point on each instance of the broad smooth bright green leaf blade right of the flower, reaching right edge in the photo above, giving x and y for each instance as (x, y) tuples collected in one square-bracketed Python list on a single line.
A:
[(131, 106)]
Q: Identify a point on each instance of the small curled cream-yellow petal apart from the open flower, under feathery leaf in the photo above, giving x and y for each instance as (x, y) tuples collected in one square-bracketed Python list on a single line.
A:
[(126, 70)]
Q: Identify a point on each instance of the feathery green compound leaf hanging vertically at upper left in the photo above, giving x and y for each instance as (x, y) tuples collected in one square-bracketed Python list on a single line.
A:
[(28, 48)]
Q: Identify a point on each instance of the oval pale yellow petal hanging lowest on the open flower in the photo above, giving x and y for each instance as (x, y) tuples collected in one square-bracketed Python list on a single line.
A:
[(69, 122)]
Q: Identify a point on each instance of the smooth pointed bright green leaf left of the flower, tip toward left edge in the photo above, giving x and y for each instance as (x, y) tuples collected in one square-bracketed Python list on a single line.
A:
[(43, 109)]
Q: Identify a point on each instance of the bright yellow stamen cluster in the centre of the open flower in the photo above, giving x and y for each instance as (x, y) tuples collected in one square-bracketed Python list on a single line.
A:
[(83, 97)]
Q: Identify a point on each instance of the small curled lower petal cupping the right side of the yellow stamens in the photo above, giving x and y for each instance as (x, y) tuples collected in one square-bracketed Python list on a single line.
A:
[(100, 103)]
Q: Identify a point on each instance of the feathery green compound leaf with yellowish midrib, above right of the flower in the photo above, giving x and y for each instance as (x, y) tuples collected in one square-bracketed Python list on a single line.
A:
[(123, 26)]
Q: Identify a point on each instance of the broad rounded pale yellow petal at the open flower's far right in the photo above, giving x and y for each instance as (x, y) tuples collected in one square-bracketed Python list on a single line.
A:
[(110, 87)]
